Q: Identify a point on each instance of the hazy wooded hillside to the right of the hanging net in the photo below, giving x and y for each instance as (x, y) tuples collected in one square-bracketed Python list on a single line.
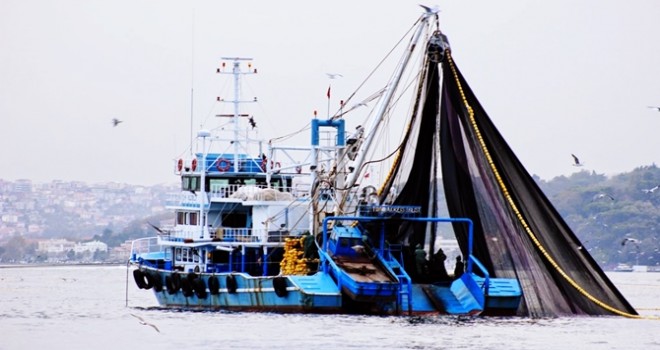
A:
[(603, 211)]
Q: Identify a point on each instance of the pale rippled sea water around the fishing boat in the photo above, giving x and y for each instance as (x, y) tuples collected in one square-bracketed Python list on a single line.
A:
[(90, 307)]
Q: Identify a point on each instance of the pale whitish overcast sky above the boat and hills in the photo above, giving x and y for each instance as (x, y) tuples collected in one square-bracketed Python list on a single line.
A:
[(556, 77)]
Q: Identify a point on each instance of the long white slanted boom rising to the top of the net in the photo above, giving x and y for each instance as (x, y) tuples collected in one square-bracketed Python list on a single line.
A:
[(383, 107)]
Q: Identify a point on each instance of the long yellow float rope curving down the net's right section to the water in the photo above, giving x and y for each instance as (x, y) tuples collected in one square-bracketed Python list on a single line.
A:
[(514, 208)]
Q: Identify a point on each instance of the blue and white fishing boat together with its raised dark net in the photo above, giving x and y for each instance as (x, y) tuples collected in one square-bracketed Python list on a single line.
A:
[(308, 229)]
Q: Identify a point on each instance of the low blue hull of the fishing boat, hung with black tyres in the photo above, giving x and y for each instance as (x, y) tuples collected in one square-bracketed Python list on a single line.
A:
[(316, 293)]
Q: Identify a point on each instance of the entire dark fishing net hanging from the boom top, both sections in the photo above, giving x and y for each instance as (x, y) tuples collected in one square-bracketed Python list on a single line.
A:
[(517, 232)]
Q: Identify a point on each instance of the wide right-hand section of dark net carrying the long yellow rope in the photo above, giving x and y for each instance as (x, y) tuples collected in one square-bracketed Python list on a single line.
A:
[(518, 233)]
